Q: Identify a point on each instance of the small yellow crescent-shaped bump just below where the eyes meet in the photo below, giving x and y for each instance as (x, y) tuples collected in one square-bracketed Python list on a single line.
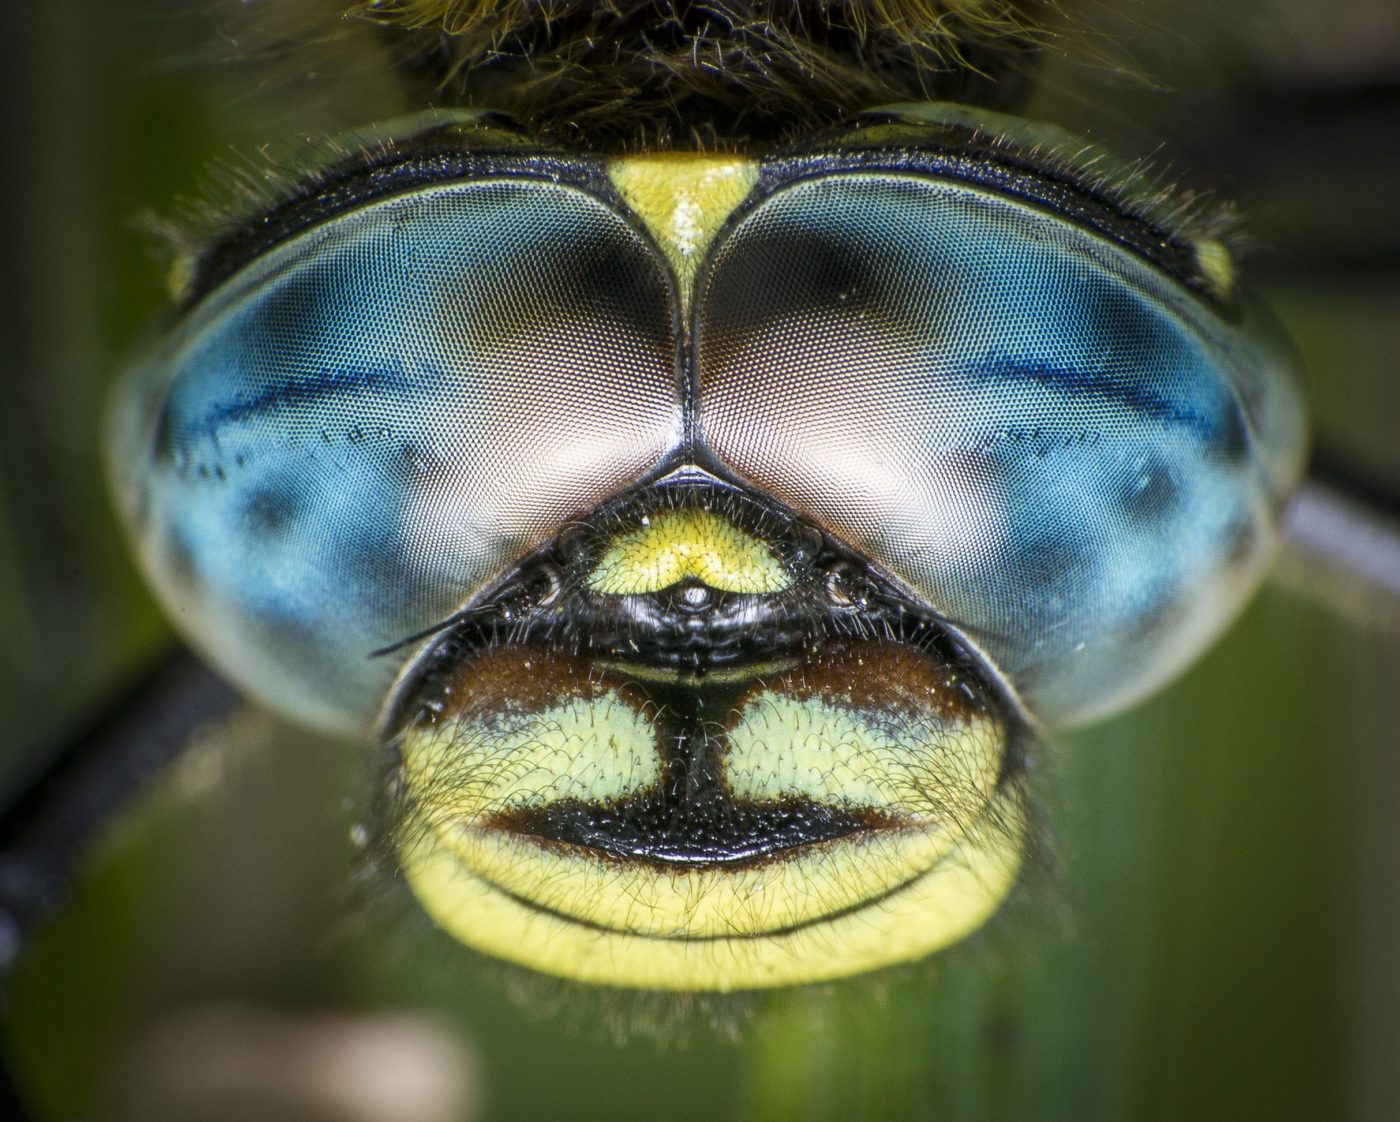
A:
[(675, 546)]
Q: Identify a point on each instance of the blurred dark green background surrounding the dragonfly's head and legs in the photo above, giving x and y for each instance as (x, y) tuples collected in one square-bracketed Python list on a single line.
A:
[(1214, 929)]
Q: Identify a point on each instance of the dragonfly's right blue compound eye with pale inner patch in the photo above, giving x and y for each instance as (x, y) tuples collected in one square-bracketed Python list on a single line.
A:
[(1056, 445)]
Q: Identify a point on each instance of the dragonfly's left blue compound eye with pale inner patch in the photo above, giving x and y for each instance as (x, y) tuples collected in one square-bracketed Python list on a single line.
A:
[(366, 424)]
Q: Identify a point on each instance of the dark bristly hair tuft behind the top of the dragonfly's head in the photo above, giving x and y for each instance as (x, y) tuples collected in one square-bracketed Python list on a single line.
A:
[(642, 75)]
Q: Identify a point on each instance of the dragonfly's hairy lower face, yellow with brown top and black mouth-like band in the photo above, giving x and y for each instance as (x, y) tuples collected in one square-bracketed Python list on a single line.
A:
[(822, 827)]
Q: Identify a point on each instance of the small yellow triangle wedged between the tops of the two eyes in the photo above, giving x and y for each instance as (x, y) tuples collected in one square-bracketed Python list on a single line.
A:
[(684, 200)]
